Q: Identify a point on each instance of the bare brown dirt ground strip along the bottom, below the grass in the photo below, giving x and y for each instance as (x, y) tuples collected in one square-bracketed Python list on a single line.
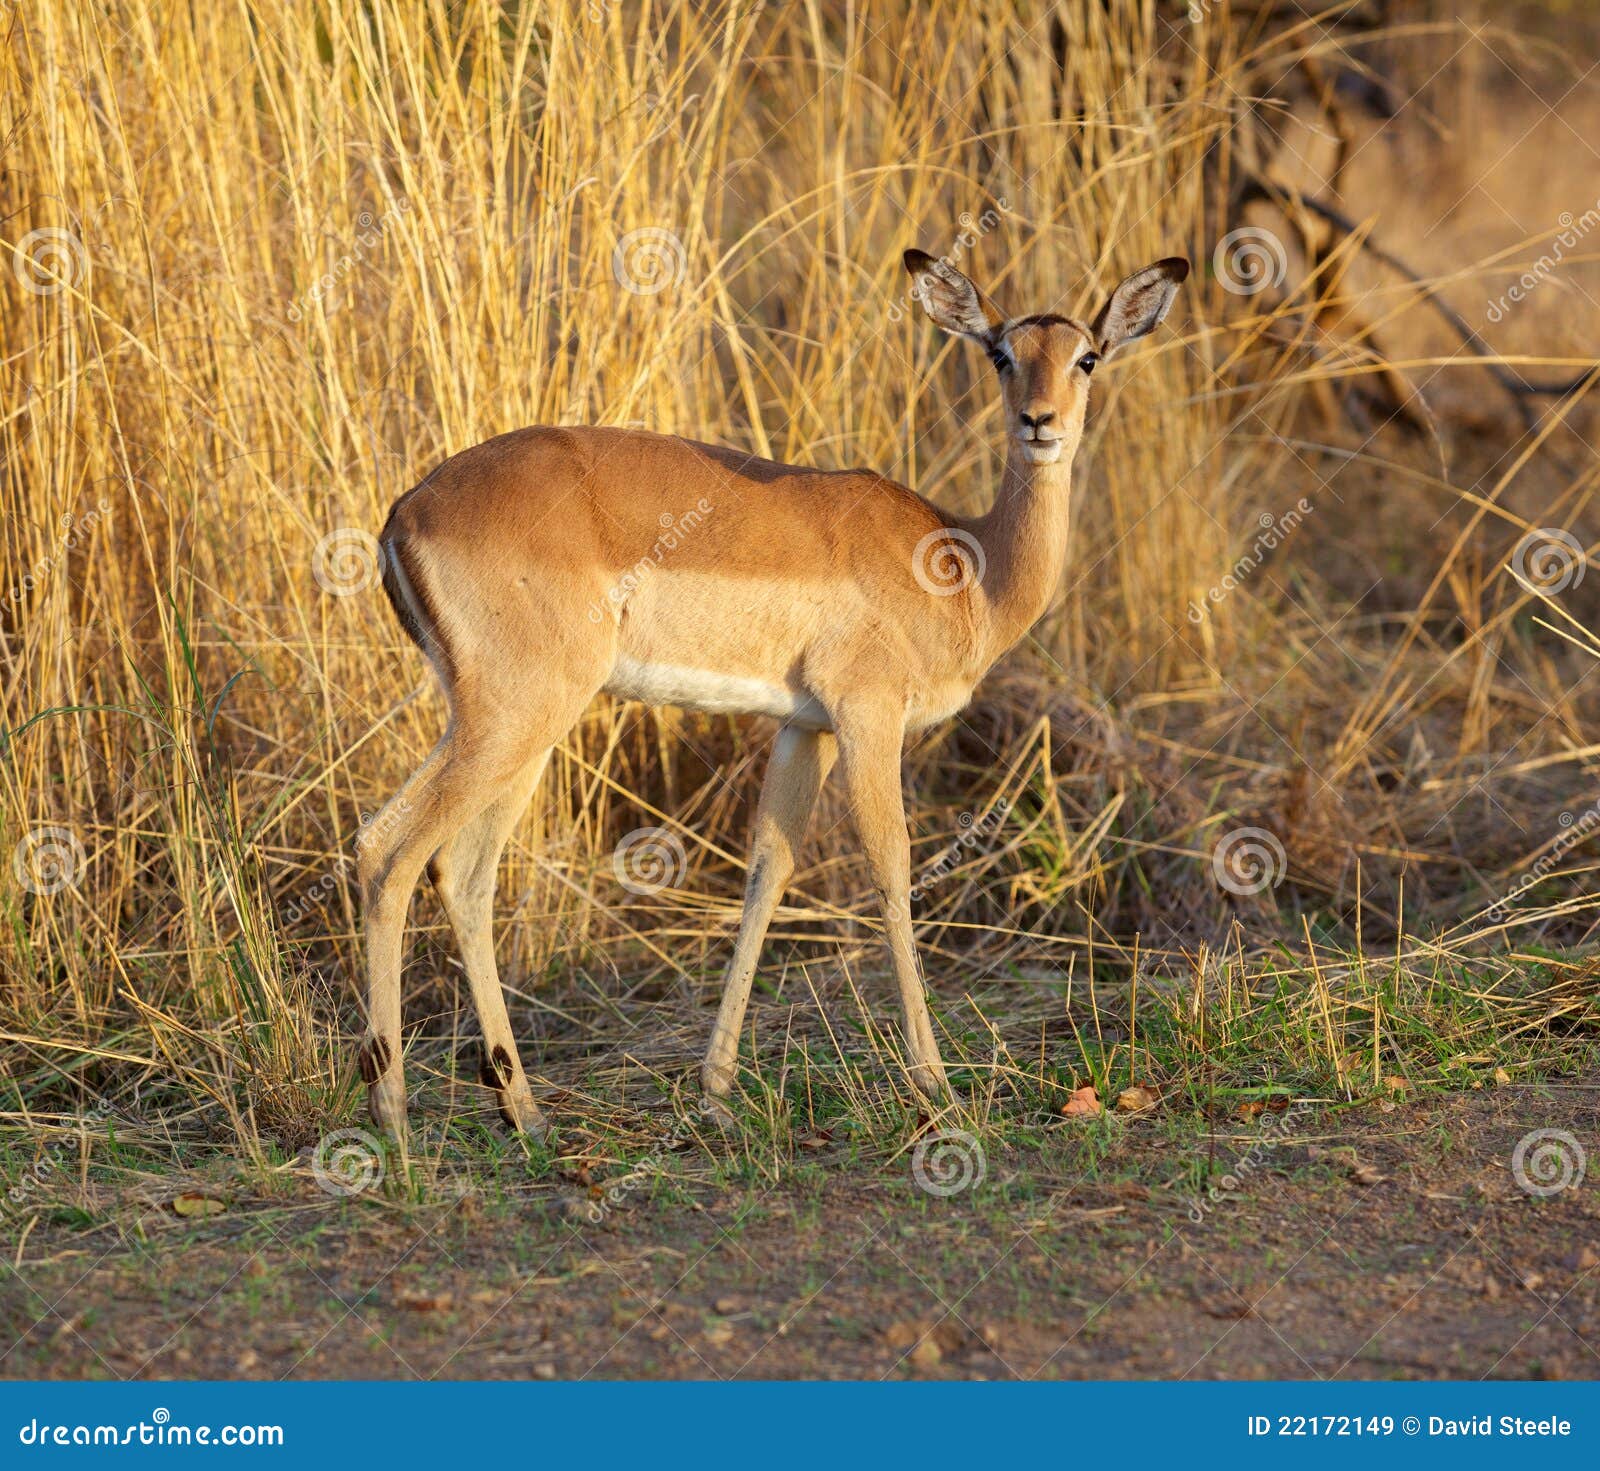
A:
[(1367, 1243)]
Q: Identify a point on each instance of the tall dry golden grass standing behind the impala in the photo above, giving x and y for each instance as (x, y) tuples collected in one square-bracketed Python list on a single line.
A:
[(297, 252)]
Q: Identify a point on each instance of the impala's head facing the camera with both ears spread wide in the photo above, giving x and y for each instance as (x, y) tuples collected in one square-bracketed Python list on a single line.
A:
[(1046, 361)]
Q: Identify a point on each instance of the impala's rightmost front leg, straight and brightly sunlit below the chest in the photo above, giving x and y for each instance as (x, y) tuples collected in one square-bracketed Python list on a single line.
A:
[(871, 752)]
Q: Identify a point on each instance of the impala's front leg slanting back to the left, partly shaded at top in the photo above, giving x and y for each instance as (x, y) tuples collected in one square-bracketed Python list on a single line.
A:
[(796, 772)]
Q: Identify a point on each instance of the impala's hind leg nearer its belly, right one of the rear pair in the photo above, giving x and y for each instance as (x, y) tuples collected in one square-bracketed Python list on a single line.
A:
[(463, 873)]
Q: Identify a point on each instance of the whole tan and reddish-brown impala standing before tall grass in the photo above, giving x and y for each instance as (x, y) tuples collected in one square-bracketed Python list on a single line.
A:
[(838, 603)]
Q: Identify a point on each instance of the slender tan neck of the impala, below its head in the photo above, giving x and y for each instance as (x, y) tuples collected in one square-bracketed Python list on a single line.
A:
[(1025, 540)]
